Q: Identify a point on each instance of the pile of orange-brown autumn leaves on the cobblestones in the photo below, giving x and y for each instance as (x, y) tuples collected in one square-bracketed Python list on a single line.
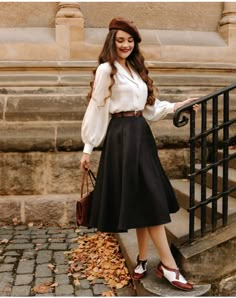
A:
[(98, 256)]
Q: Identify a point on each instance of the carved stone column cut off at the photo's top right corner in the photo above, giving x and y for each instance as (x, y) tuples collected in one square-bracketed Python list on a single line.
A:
[(227, 23)]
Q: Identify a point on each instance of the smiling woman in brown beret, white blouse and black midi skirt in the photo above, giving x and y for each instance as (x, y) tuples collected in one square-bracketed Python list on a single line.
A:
[(132, 190)]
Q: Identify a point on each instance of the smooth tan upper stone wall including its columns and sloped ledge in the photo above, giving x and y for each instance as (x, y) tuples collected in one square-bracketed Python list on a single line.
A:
[(193, 32)]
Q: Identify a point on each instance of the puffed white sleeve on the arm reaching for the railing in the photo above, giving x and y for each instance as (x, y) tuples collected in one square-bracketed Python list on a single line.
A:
[(158, 111)]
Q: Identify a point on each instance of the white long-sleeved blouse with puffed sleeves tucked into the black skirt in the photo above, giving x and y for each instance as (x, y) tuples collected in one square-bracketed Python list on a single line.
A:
[(129, 93)]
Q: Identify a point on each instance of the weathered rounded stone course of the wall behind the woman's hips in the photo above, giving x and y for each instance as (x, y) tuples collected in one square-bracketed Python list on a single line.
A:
[(65, 135)]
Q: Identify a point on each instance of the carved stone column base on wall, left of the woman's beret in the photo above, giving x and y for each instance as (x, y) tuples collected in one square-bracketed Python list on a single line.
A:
[(69, 25)]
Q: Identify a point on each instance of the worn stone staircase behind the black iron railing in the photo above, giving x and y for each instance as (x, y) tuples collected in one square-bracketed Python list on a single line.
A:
[(201, 261)]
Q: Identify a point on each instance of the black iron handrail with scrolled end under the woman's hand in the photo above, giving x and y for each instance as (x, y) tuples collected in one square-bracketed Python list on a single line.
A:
[(179, 122)]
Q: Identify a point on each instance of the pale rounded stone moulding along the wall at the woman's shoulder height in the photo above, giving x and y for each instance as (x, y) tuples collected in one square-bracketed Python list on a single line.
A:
[(81, 76)]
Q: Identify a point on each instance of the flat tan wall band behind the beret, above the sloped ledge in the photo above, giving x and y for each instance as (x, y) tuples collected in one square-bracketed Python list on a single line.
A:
[(196, 16)]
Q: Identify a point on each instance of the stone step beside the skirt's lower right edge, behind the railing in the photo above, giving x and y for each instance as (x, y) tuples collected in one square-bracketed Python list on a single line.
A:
[(181, 187)]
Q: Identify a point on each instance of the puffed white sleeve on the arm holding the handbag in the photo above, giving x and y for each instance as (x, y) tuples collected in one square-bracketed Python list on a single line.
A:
[(97, 116)]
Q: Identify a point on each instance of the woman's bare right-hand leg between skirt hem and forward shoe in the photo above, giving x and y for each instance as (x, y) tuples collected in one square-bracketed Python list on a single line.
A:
[(158, 236)]
